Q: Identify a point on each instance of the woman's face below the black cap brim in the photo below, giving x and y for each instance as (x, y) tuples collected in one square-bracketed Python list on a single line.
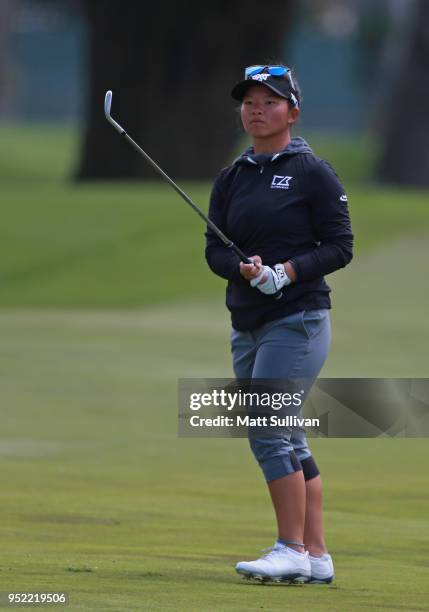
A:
[(265, 114)]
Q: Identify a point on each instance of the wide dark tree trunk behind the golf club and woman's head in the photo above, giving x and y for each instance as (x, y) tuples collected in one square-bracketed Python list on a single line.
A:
[(171, 66)]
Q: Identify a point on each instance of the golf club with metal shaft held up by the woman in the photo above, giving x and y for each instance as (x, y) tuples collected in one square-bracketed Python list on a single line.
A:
[(227, 242)]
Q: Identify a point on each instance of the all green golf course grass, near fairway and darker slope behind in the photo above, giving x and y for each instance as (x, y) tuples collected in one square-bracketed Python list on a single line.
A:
[(99, 496)]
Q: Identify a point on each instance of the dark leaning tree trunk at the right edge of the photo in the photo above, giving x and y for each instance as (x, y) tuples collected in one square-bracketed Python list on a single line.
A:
[(405, 151)]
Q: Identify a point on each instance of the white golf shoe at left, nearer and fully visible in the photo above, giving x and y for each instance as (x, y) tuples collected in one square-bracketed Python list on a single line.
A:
[(280, 564)]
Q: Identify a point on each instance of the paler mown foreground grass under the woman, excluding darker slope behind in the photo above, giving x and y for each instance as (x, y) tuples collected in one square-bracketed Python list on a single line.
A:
[(102, 500)]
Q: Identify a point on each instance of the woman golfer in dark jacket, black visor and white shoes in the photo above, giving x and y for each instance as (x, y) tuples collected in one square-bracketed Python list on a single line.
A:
[(287, 209)]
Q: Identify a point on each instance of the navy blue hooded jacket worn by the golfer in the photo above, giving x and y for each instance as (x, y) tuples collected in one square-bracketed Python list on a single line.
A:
[(287, 206)]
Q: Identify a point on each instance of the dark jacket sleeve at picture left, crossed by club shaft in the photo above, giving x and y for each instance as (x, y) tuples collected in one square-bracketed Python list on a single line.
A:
[(221, 260)]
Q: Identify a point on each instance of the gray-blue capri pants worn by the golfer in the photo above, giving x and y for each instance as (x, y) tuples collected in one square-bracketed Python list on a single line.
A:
[(295, 346)]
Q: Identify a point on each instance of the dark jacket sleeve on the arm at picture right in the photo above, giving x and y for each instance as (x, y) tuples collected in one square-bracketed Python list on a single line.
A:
[(331, 225)]
